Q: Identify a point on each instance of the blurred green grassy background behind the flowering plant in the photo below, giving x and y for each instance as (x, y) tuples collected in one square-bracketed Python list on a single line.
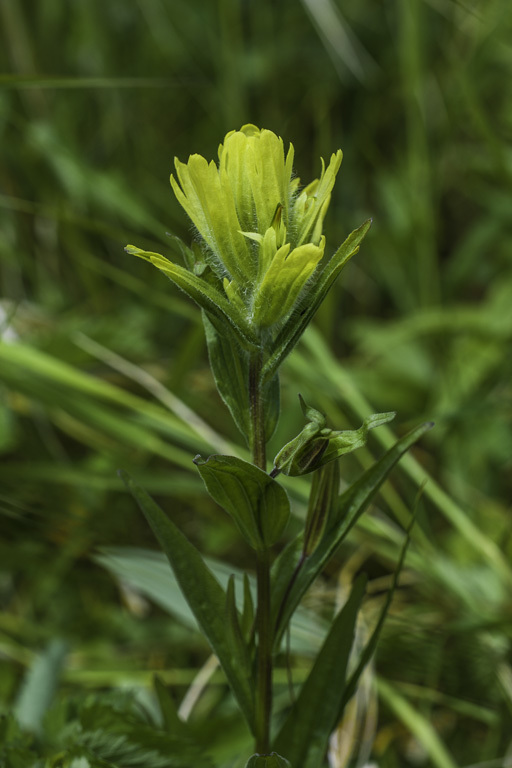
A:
[(103, 363)]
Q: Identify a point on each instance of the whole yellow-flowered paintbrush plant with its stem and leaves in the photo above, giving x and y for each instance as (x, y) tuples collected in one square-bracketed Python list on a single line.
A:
[(259, 270)]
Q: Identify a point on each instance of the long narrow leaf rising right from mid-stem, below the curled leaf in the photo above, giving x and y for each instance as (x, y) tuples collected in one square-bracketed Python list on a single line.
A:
[(352, 503)]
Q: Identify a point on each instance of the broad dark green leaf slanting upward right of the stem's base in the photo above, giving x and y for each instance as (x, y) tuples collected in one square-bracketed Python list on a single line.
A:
[(305, 733)]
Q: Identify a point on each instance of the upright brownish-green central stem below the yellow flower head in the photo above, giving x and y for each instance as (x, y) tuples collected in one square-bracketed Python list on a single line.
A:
[(263, 707)]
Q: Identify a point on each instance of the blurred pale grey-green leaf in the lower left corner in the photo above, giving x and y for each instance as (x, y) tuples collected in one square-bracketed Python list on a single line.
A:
[(39, 686)]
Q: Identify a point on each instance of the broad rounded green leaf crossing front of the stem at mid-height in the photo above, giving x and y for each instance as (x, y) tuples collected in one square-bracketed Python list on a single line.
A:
[(256, 502)]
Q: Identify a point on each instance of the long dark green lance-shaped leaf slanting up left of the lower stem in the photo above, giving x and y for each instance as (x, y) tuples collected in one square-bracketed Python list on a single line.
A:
[(203, 593)]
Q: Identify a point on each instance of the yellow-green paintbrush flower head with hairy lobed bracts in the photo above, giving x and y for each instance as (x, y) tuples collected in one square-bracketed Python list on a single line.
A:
[(259, 232)]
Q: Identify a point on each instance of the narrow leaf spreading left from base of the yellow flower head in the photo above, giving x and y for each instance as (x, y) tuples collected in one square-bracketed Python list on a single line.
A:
[(204, 294)]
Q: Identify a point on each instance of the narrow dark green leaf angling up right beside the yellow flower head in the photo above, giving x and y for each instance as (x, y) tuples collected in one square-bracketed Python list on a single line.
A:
[(295, 326)]
